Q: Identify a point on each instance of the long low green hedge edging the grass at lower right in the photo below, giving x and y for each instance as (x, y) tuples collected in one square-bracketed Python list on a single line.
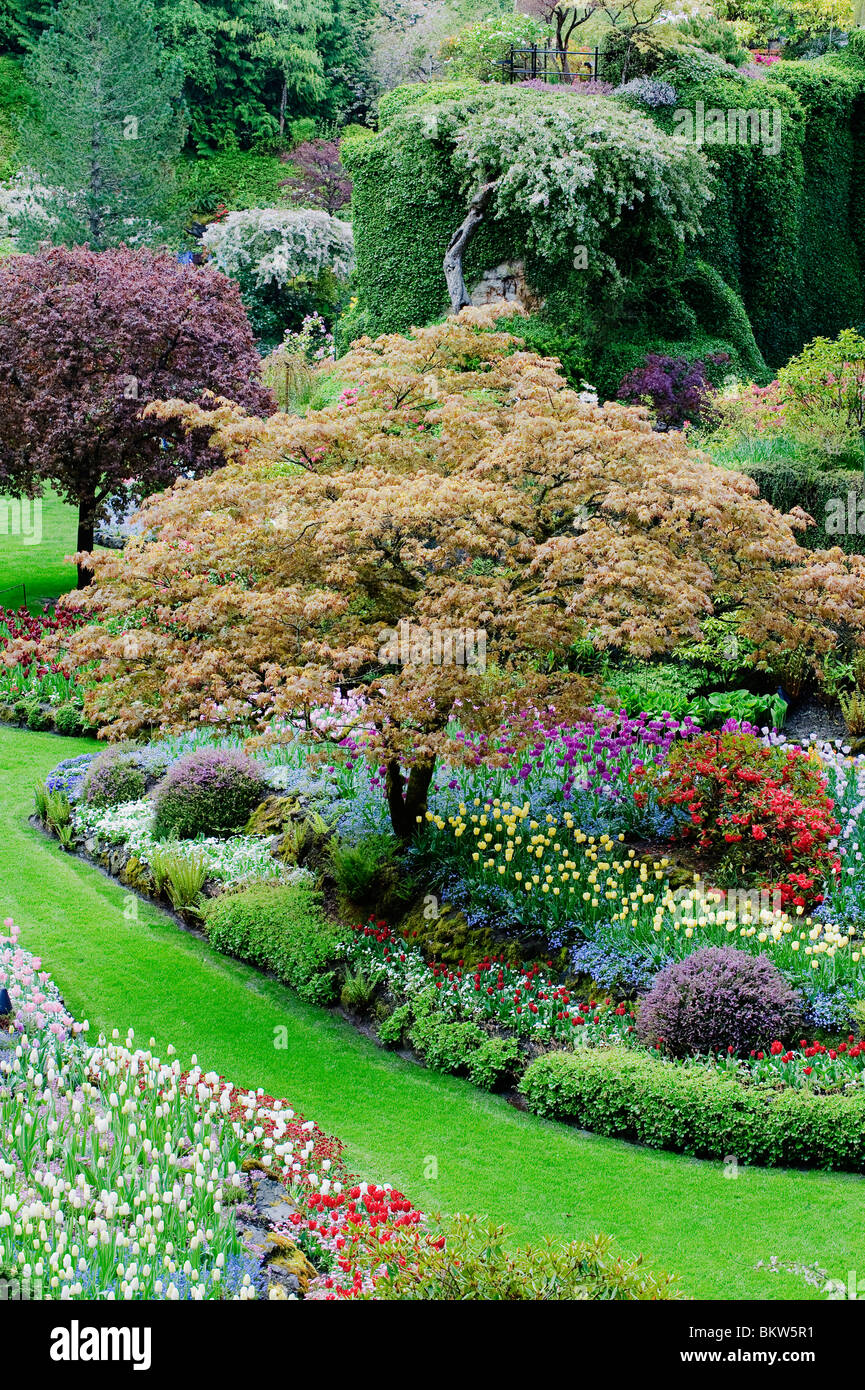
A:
[(690, 1110)]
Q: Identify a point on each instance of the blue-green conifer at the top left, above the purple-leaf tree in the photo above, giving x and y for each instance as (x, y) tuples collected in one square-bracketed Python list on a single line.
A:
[(109, 127)]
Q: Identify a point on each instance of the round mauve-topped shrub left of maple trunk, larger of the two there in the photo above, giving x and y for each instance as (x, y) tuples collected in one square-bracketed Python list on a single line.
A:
[(208, 793)]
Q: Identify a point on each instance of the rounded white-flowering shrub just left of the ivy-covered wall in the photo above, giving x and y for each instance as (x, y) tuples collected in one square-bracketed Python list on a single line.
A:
[(276, 247)]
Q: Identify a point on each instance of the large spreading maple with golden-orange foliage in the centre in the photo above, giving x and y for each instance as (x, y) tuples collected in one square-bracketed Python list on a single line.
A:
[(460, 483)]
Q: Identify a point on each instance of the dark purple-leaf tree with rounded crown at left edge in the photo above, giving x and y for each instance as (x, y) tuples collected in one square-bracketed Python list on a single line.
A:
[(87, 341)]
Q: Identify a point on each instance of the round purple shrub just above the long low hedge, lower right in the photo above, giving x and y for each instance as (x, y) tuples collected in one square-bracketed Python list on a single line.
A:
[(716, 1000)]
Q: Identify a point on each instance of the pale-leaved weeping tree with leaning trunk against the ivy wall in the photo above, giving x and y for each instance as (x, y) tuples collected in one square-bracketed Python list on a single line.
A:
[(586, 181)]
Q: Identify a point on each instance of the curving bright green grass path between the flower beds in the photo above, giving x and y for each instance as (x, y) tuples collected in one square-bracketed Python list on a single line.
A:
[(122, 963)]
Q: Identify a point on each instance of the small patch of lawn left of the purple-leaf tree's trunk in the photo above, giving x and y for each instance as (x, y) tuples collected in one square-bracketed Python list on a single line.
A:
[(33, 551)]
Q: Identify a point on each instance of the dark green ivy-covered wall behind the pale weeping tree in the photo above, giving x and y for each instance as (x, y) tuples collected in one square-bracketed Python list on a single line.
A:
[(781, 261)]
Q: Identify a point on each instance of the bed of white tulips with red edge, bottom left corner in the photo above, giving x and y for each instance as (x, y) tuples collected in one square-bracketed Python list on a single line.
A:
[(83, 1127)]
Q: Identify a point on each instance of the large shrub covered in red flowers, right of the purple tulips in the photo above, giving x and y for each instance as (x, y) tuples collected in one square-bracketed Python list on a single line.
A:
[(761, 814)]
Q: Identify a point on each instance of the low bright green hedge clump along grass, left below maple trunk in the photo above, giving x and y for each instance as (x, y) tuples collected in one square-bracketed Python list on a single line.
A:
[(280, 929)]
